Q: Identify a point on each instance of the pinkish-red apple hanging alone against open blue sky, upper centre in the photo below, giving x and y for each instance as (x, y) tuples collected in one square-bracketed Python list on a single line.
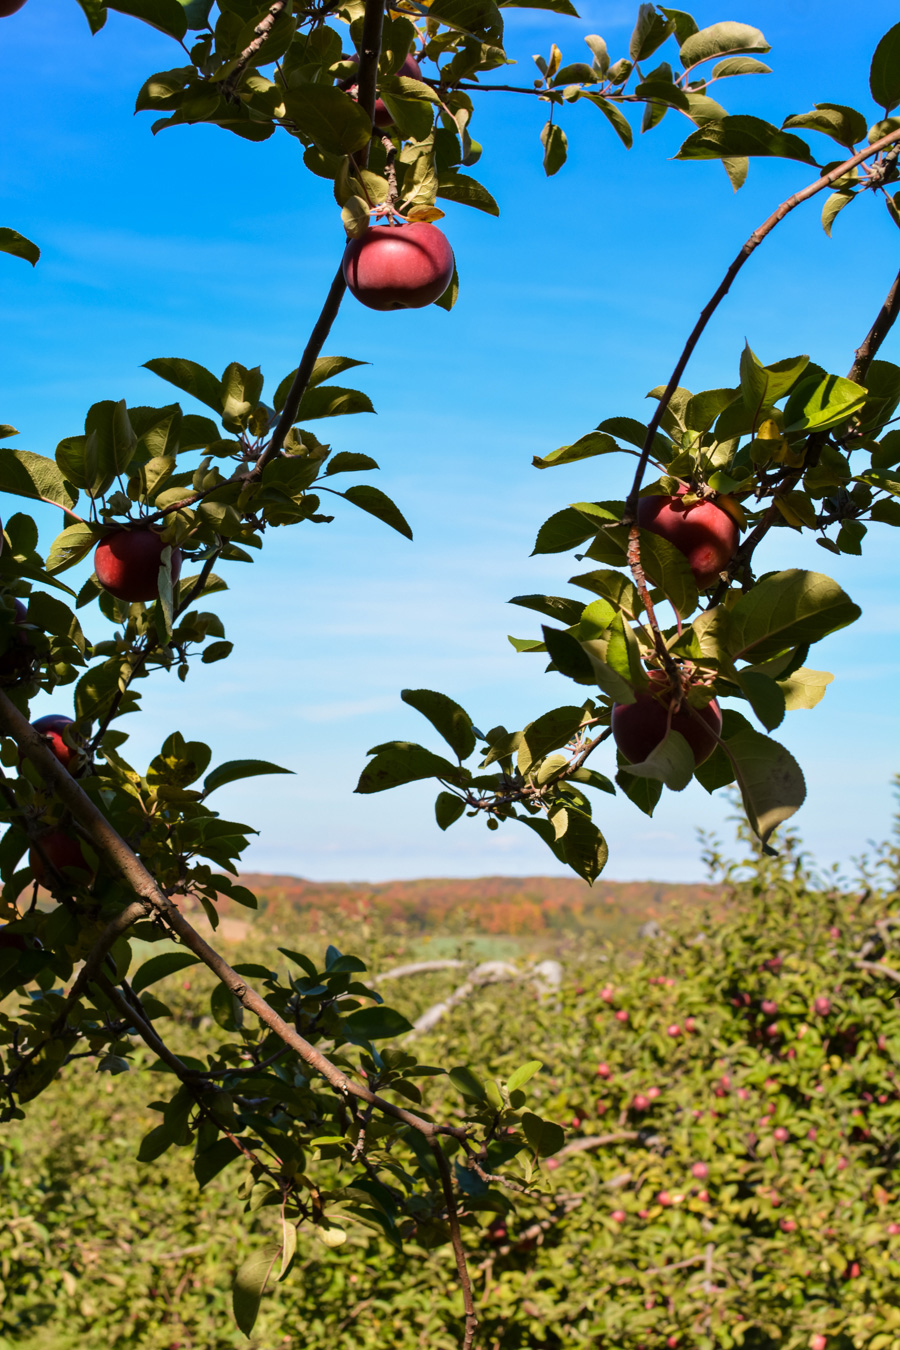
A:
[(399, 267)]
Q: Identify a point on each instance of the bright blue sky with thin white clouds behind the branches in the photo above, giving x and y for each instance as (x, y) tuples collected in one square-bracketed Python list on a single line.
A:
[(573, 306)]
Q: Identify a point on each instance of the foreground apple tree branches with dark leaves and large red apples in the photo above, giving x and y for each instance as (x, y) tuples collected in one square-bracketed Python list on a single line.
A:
[(163, 500)]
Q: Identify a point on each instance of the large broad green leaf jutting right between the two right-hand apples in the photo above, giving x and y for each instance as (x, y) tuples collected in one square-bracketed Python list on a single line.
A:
[(789, 610)]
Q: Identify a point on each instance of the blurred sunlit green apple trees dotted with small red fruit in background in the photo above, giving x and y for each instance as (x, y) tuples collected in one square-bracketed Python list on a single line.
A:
[(728, 1177)]
